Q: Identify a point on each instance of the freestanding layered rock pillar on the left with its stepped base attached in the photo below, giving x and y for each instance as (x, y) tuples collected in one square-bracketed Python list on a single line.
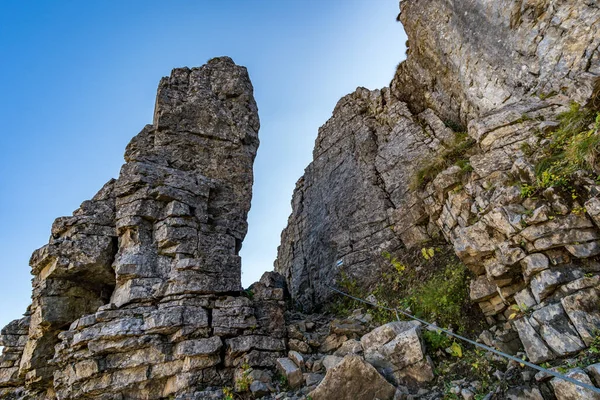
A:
[(137, 295)]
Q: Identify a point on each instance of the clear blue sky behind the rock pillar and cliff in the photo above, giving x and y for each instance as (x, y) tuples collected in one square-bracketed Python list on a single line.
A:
[(79, 80)]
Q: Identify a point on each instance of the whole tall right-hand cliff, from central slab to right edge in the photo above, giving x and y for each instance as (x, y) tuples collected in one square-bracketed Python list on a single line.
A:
[(533, 255)]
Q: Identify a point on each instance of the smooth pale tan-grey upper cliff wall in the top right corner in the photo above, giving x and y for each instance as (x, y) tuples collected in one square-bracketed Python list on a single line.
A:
[(467, 58)]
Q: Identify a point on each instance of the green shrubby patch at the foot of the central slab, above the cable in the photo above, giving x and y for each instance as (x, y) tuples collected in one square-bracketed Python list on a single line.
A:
[(433, 287)]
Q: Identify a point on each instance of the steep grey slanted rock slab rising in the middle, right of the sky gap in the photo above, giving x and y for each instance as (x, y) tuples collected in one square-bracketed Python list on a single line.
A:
[(345, 205)]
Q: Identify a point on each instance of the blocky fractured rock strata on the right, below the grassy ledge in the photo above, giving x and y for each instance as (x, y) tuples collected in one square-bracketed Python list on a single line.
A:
[(534, 257)]
